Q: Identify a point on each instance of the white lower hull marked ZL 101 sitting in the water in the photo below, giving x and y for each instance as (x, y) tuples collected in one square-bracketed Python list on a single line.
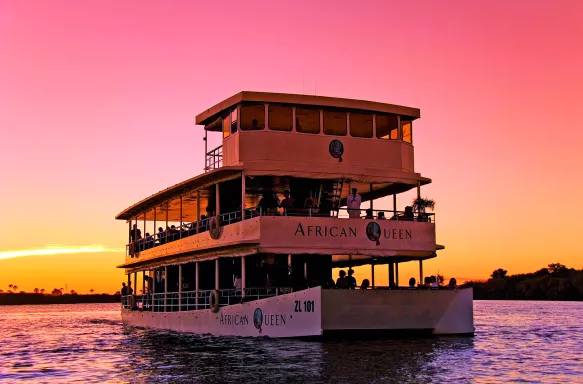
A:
[(314, 312)]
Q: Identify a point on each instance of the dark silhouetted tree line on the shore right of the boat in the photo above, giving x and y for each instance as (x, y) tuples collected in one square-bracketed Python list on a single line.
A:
[(556, 282)]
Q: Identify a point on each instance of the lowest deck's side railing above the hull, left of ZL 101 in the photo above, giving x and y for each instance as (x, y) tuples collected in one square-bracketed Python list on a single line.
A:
[(187, 300)]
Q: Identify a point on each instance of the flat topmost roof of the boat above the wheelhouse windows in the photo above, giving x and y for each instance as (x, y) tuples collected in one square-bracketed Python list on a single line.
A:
[(211, 114)]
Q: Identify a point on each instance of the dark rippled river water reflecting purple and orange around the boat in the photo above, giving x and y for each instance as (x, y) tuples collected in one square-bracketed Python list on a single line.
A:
[(514, 342)]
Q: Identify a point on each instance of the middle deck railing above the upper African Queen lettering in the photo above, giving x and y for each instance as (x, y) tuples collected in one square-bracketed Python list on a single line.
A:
[(189, 229)]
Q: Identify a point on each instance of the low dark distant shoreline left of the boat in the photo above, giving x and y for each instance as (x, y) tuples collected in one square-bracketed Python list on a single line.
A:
[(40, 299)]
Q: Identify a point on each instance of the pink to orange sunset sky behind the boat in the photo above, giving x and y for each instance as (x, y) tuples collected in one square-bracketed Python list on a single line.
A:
[(98, 99)]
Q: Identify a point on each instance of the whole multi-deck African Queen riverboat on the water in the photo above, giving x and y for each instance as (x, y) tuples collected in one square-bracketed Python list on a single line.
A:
[(249, 246)]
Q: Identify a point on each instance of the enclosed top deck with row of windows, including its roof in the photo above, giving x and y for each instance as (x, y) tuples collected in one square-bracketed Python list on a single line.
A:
[(312, 136)]
